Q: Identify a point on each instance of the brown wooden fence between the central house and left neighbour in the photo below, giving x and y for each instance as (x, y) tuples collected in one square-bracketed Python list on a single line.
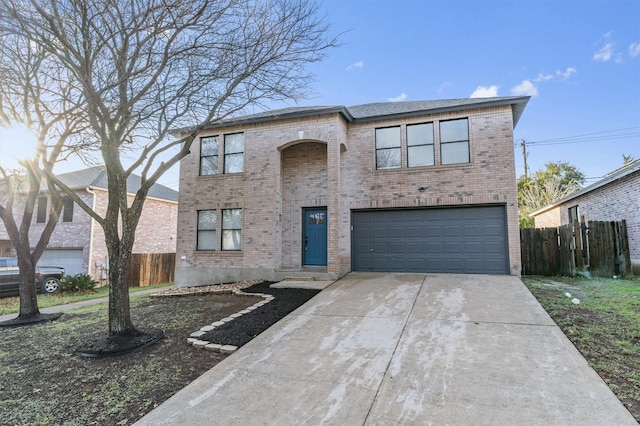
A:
[(151, 268)]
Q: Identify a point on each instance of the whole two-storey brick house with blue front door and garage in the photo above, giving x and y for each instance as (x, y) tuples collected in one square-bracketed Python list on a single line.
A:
[(424, 186)]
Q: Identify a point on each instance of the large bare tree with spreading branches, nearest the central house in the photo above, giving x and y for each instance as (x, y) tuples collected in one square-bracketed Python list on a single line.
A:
[(146, 67)]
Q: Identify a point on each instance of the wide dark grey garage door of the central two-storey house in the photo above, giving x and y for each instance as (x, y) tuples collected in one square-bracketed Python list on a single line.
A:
[(469, 240)]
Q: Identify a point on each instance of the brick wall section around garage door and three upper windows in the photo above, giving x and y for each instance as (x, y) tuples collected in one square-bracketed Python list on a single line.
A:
[(488, 178)]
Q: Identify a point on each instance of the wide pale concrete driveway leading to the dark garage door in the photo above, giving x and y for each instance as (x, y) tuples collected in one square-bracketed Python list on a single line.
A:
[(414, 349)]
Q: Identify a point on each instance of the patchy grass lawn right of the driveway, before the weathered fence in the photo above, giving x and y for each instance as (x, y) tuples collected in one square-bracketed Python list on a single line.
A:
[(602, 319)]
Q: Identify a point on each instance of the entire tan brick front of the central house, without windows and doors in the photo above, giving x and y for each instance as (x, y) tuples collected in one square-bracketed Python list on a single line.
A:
[(326, 161)]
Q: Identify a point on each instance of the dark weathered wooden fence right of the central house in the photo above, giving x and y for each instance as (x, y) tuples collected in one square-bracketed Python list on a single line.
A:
[(600, 248)]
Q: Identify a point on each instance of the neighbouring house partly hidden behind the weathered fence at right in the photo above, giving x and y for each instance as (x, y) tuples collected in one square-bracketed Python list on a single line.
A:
[(615, 197)]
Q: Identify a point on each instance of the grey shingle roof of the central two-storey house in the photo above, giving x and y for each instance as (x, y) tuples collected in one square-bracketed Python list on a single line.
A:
[(378, 111)]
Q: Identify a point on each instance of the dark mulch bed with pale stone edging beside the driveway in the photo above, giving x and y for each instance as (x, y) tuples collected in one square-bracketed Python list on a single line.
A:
[(241, 330)]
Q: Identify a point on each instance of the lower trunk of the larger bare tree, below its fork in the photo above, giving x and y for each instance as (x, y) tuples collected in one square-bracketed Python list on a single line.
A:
[(119, 308)]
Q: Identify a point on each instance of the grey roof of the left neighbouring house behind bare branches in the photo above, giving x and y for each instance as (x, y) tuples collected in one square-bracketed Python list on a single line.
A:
[(96, 177)]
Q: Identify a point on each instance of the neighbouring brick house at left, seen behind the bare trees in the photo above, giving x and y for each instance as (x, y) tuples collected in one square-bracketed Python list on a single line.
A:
[(78, 243)]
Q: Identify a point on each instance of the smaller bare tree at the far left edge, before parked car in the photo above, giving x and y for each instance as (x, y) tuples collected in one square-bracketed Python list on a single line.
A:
[(24, 96)]
